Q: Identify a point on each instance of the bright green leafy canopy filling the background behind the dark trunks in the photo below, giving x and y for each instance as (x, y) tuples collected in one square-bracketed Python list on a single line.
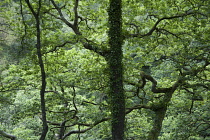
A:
[(175, 47)]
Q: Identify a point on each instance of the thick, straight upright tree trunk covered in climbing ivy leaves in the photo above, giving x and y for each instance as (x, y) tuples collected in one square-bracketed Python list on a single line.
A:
[(117, 97)]
